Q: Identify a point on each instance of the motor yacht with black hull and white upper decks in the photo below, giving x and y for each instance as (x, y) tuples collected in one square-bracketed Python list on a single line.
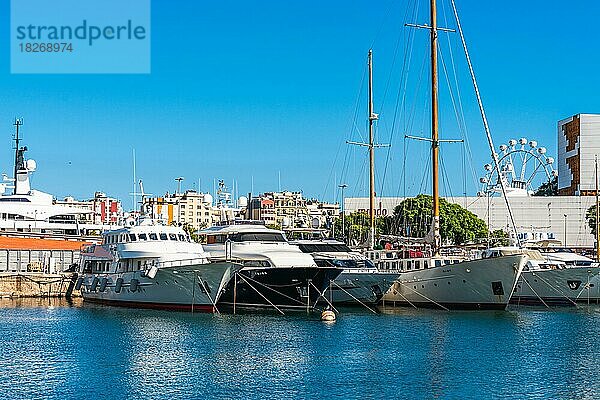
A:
[(275, 273)]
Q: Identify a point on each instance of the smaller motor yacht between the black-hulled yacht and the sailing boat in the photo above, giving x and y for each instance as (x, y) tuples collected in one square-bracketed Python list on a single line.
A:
[(360, 282)]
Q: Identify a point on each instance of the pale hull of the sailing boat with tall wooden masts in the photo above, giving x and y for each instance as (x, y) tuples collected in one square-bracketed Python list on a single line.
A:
[(473, 284)]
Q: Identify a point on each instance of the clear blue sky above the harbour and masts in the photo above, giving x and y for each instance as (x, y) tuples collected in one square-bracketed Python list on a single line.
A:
[(248, 90)]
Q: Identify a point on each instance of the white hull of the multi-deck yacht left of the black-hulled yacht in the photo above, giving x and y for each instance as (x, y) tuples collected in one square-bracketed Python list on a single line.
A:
[(188, 288)]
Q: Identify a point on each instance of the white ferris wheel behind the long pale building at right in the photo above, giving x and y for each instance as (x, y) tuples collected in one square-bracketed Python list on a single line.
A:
[(523, 168)]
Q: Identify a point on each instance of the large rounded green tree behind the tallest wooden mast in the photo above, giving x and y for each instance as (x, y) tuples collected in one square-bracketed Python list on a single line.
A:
[(458, 226)]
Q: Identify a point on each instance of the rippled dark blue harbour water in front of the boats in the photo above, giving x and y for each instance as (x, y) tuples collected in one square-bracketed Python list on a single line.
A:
[(61, 351)]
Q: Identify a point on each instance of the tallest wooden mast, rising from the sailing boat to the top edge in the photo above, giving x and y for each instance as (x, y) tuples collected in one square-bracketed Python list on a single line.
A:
[(434, 131)]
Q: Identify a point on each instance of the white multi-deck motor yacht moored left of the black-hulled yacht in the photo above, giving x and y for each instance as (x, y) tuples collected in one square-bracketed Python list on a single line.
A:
[(151, 265)]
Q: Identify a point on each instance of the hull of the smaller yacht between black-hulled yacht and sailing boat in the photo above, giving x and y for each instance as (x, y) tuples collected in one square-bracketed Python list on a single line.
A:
[(351, 287)]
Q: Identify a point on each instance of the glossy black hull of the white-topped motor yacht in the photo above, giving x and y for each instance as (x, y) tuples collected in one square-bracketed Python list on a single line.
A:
[(293, 288)]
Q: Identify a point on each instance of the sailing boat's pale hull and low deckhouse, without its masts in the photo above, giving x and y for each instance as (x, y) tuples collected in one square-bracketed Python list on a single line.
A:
[(449, 281)]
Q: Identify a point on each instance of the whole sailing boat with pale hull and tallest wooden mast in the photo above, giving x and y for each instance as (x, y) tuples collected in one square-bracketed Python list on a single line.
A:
[(430, 278)]
